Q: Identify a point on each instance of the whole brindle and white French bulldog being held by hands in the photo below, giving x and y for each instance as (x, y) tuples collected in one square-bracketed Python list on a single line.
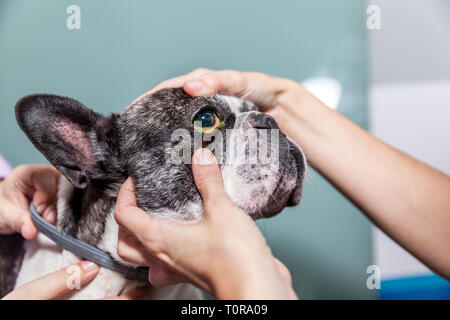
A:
[(95, 155)]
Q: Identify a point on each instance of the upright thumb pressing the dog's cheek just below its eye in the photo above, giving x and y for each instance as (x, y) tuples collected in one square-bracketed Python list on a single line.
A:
[(208, 178)]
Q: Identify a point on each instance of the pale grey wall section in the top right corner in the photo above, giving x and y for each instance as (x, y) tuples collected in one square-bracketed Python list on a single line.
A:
[(413, 43)]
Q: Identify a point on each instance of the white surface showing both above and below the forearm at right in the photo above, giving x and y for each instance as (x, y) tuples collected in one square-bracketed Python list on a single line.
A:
[(415, 118)]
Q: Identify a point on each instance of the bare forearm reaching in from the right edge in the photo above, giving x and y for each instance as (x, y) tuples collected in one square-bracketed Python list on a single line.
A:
[(407, 199)]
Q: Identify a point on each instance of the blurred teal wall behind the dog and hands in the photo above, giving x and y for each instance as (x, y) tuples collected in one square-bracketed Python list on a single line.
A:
[(126, 47)]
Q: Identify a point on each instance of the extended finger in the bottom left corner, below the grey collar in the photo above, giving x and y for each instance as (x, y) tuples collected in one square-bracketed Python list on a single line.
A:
[(56, 284)]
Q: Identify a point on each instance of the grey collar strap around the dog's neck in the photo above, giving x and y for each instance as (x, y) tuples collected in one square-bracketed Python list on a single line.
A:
[(85, 250)]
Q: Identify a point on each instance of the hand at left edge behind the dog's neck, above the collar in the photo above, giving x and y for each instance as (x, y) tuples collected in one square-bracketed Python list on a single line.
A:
[(37, 183)]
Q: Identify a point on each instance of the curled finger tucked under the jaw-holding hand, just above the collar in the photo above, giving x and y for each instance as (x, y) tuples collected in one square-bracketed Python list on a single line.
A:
[(130, 249)]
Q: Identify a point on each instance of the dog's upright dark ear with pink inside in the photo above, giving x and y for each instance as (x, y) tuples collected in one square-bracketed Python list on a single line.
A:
[(67, 133)]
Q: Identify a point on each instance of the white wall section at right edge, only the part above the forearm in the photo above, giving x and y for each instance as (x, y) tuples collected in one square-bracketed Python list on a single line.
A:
[(414, 117)]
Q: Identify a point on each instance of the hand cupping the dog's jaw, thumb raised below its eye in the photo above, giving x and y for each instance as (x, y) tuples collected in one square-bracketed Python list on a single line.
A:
[(224, 254)]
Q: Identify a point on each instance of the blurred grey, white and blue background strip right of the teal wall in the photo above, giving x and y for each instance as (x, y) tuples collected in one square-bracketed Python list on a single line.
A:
[(410, 109)]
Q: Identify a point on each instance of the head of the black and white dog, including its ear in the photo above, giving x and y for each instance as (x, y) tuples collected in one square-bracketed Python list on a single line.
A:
[(153, 141)]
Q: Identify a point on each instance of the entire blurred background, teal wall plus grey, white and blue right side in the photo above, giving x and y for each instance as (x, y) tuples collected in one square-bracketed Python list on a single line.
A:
[(394, 81)]
